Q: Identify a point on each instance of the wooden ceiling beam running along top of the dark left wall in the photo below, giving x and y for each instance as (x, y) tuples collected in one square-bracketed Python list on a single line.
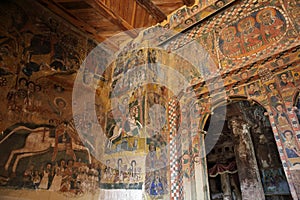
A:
[(90, 31)]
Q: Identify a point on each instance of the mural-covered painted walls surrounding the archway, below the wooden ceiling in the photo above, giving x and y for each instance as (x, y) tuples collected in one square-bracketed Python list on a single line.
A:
[(151, 101)]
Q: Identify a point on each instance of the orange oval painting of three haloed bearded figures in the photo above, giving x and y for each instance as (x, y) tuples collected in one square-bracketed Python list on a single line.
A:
[(260, 28)]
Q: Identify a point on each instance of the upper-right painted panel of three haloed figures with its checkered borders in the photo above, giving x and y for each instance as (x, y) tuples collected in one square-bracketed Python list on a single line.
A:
[(247, 29)]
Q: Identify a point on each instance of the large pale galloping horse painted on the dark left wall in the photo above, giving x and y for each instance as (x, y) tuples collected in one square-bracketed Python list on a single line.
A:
[(39, 141)]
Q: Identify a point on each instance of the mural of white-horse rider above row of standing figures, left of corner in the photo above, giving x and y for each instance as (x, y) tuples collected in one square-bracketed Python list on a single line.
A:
[(124, 152)]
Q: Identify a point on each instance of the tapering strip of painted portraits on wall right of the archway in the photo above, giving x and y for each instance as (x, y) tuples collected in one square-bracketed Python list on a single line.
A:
[(280, 89)]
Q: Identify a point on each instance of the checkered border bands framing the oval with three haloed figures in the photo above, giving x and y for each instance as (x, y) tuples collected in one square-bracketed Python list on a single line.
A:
[(232, 15)]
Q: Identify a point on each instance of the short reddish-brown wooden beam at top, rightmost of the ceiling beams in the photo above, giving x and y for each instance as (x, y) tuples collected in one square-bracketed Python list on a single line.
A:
[(152, 9)]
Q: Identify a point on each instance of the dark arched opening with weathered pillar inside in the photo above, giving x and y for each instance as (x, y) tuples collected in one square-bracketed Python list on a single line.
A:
[(245, 161)]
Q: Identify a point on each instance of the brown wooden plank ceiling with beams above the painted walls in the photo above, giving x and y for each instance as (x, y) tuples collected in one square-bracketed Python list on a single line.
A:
[(101, 19)]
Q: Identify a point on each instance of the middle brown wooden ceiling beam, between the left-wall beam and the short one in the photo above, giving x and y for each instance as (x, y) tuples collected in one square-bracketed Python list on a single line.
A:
[(102, 9)]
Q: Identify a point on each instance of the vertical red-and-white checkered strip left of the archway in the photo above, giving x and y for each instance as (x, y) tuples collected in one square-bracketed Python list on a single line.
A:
[(175, 150)]
